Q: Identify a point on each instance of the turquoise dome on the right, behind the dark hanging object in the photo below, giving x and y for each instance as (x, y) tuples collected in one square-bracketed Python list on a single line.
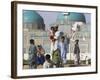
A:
[(72, 16)]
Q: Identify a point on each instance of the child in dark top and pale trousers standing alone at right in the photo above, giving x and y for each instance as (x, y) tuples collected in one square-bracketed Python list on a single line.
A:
[(77, 52)]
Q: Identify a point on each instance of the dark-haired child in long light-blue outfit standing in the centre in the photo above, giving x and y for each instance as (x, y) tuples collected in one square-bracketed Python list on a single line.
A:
[(63, 49)]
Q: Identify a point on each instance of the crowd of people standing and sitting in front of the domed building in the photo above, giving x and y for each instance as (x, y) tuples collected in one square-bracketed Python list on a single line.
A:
[(58, 51)]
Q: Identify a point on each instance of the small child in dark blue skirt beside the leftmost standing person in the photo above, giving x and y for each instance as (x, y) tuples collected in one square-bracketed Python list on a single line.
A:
[(40, 55)]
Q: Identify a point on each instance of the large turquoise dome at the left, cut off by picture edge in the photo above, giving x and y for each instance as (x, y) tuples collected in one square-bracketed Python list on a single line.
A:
[(32, 17)]
